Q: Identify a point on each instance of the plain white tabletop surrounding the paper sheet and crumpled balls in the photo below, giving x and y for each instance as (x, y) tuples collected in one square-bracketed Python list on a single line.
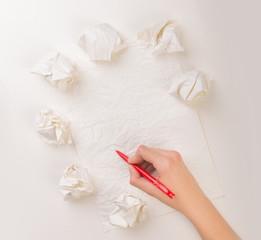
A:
[(220, 37)]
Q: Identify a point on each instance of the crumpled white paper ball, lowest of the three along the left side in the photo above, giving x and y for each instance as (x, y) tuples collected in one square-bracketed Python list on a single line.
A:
[(76, 182)]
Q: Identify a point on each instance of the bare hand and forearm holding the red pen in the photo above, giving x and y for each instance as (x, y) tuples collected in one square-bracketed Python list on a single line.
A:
[(189, 200)]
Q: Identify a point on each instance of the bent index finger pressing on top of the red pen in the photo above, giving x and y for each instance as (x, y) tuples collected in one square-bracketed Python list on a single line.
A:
[(148, 154)]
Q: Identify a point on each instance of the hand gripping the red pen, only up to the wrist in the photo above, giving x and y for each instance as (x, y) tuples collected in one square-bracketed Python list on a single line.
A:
[(171, 171)]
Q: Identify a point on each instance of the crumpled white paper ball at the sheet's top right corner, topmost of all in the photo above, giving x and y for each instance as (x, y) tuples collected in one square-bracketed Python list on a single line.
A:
[(164, 37)]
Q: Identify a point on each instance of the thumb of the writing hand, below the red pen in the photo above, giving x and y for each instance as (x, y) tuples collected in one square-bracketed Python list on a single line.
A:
[(140, 182)]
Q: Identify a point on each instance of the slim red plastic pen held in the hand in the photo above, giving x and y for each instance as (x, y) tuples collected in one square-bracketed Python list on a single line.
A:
[(148, 176)]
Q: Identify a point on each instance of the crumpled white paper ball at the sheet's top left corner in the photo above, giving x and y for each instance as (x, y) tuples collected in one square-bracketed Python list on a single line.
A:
[(100, 42)]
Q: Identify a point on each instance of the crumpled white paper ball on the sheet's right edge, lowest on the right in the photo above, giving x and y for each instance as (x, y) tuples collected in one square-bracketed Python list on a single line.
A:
[(190, 86)]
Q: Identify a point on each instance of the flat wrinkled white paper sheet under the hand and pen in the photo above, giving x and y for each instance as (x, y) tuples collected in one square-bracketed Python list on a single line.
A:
[(127, 103)]
